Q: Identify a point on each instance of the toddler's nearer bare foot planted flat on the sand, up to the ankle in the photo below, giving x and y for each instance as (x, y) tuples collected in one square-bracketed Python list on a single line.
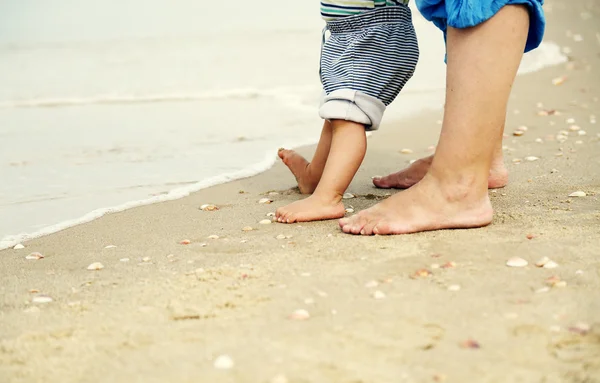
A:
[(312, 208)]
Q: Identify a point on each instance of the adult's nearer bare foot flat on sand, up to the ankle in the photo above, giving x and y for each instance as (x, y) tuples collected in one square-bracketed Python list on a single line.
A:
[(426, 206)]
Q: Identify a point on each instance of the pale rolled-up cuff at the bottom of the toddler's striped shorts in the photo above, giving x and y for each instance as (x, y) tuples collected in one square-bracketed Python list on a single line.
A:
[(352, 105)]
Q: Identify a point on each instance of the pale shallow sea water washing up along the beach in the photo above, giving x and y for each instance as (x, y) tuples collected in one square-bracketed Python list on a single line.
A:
[(113, 104)]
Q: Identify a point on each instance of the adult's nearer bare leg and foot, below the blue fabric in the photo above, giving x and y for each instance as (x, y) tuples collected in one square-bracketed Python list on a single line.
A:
[(482, 64)]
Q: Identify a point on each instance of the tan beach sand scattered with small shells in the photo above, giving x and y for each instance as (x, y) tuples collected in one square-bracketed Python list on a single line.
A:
[(168, 313)]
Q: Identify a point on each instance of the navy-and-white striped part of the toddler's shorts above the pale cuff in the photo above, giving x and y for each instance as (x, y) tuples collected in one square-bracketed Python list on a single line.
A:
[(374, 53)]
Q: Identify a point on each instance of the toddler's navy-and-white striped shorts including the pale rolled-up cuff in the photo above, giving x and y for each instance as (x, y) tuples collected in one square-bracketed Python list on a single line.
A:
[(365, 63)]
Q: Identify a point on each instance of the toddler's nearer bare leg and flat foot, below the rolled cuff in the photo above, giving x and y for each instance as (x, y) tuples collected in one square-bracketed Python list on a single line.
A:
[(348, 148)]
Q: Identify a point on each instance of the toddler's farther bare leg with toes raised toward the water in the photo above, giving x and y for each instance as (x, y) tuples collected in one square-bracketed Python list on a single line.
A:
[(307, 173)]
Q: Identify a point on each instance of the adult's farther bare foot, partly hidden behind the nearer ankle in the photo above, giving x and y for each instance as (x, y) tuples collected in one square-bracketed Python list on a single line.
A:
[(416, 171)]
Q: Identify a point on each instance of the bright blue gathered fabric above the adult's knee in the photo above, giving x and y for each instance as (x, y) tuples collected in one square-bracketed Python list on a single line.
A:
[(468, 13)]
